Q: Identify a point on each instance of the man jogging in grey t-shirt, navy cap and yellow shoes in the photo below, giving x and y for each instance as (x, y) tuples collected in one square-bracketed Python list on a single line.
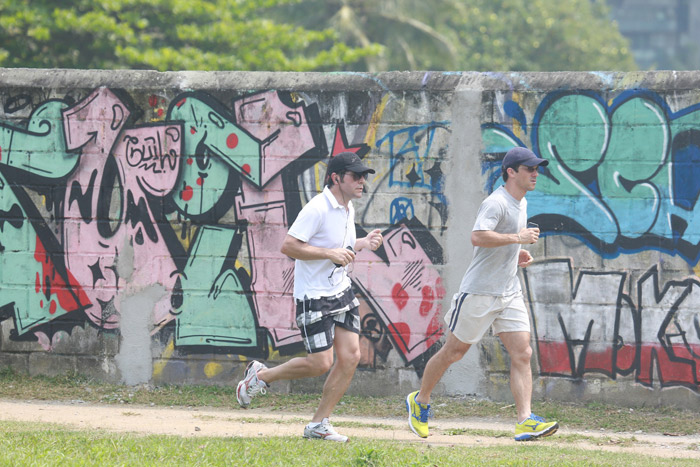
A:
[(490, 297)]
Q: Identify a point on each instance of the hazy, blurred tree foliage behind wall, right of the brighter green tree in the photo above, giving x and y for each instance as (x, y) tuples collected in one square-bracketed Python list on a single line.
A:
[(477, 35)]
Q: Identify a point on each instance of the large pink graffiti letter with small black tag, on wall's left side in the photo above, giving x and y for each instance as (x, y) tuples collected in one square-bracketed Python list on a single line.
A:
[(145, 160)]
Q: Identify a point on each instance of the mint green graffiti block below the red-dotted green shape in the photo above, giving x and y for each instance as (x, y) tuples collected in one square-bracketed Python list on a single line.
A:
[(214, 314)]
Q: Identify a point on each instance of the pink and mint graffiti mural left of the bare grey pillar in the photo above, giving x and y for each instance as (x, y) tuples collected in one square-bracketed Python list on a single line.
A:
[(183, 199)]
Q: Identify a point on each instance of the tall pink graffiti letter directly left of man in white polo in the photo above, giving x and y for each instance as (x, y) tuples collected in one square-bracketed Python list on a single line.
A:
[(286, 136)]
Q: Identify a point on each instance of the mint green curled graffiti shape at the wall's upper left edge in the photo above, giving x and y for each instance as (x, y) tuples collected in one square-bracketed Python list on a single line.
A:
[(41, 148)]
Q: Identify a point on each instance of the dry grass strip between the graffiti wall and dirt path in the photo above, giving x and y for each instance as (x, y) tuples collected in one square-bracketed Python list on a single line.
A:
[(592, 416)]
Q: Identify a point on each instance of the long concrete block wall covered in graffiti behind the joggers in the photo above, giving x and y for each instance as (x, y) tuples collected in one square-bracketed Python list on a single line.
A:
[(141, 216)]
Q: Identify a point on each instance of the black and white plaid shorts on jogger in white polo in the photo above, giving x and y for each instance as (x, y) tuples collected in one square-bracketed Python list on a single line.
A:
[(318, 317)]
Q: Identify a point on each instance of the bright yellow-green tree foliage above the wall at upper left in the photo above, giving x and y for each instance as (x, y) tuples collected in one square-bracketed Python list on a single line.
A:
[(165, 35)]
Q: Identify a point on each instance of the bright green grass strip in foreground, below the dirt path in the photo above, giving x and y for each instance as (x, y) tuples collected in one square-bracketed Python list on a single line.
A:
[(34, 444)]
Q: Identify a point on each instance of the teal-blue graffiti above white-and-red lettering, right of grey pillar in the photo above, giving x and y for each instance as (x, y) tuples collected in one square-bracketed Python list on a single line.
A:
[(614, 296)]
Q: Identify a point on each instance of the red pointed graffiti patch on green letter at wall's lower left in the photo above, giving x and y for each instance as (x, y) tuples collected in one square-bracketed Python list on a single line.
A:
[(66, 293)]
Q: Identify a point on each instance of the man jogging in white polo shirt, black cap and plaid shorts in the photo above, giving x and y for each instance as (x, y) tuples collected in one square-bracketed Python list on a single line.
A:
[(322, 241)]
